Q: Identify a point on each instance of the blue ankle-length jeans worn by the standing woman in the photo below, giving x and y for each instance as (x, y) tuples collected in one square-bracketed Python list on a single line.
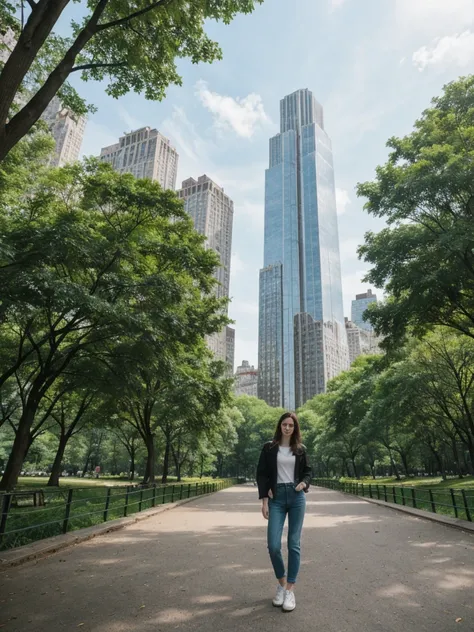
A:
[(287, 501)]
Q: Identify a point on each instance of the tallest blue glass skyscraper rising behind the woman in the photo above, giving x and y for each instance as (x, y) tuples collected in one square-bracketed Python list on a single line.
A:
[(302, 337)]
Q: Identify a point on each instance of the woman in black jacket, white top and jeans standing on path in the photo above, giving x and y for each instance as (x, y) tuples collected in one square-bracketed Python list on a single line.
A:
[(283, 477)]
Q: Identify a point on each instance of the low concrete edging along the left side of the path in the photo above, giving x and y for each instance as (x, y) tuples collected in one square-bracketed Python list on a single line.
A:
[(48, 546)]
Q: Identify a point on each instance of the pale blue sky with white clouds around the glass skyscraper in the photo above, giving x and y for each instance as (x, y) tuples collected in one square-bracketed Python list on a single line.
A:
[(374, 65)]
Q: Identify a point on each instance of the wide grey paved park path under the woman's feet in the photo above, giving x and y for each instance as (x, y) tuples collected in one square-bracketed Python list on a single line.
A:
[(204, 566)]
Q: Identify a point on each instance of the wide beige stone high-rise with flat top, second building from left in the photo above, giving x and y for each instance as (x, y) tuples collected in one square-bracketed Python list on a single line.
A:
[(147, 154)]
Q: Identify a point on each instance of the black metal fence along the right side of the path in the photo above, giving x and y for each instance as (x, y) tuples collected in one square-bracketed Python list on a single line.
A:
[(458, 503)]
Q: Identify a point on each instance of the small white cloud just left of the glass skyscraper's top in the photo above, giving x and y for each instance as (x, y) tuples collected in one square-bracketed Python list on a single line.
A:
[(242, 115)]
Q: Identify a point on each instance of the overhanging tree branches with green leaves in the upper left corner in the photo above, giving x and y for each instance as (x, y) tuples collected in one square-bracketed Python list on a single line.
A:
[(131, 45)]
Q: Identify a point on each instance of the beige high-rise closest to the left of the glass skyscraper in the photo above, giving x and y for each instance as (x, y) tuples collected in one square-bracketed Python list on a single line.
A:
[(213, 213)]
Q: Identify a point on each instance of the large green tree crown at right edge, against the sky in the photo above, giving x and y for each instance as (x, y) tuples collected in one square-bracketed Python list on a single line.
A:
[(425, 192)]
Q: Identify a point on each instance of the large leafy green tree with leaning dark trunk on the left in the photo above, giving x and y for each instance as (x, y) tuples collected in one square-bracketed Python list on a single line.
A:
[(91, 258)]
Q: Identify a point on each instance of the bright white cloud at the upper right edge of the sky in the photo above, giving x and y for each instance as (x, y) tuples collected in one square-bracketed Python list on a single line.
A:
[(451, 50)]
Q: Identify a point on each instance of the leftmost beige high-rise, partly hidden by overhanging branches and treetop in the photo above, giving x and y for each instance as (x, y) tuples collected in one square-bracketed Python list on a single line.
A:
[(68, 132)]
